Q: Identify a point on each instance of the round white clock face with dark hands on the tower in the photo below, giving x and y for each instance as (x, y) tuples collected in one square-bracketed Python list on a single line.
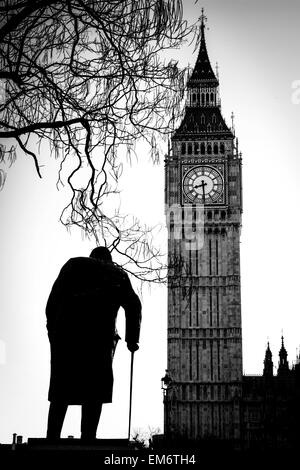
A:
[(203, 184)]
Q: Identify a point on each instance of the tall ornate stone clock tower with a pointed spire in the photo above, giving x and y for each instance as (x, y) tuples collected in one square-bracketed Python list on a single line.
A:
[(203, 384)]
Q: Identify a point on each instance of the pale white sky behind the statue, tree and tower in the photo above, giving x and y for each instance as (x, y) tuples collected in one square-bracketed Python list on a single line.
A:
[(256, 44)]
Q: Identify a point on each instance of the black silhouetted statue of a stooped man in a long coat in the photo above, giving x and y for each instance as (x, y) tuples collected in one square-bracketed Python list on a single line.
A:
[(81, 313)]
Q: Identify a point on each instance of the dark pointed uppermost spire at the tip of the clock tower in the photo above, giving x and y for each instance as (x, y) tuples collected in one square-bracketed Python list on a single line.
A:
[(203, 73)]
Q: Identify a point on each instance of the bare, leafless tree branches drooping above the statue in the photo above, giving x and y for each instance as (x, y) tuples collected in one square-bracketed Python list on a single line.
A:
[(89, 77)]
